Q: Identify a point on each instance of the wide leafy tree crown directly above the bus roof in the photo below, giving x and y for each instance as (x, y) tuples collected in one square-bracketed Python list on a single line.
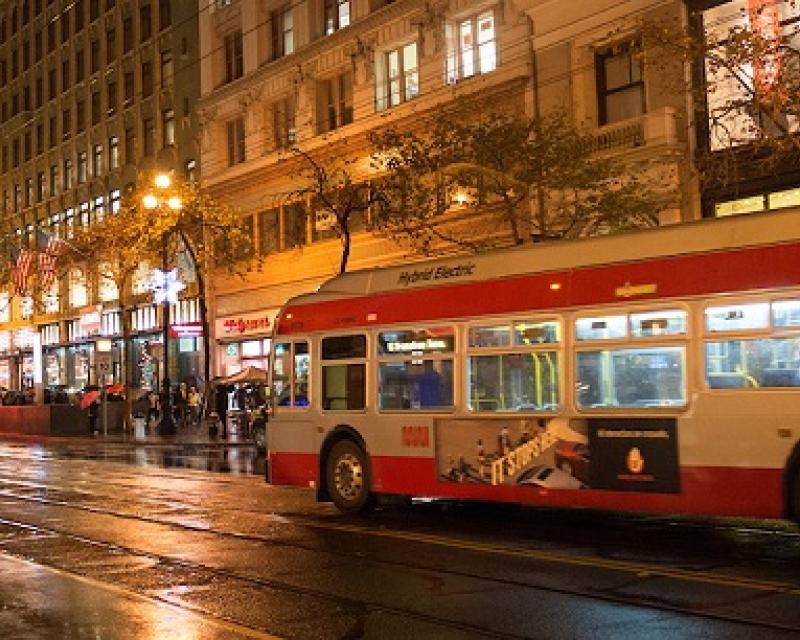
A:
[(516, 176)]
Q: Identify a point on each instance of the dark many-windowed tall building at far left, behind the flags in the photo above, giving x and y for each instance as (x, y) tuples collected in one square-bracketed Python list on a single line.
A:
[(91, 92)]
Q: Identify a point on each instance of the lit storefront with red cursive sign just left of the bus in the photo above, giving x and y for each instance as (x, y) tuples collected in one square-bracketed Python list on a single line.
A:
[(244, 341)]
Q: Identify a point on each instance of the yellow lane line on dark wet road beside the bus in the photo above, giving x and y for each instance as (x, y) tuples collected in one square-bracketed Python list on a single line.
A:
[(636, 568)]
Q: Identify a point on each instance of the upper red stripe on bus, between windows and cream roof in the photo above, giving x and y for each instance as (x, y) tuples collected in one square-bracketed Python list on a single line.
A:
[(697, 274)]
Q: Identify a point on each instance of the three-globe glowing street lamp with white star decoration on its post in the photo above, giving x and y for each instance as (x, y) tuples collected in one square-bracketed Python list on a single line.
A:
[(165, 287)]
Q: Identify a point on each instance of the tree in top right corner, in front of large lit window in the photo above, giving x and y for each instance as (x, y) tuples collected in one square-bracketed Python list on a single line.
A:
[(745, 87)]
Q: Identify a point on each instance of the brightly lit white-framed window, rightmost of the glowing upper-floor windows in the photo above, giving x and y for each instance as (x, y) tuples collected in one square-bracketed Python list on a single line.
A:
[(471, 46)]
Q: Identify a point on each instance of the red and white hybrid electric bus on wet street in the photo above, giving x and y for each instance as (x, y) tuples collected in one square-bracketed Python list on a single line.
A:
[(657, 370)]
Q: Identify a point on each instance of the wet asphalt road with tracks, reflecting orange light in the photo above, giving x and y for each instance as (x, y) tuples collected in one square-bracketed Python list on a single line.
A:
[(122, 541)]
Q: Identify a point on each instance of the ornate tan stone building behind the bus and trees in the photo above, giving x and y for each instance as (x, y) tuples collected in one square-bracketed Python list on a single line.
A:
[(322, 74)]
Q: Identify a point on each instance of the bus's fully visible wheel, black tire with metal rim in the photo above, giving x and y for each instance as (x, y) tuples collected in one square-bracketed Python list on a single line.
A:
[(348, 478)]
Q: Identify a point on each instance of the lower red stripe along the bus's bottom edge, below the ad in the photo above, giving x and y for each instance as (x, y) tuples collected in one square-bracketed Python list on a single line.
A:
[(721, 491)]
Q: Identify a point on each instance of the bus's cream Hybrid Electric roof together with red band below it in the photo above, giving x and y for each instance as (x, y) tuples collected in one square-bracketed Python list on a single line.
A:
[(687, 259)]
